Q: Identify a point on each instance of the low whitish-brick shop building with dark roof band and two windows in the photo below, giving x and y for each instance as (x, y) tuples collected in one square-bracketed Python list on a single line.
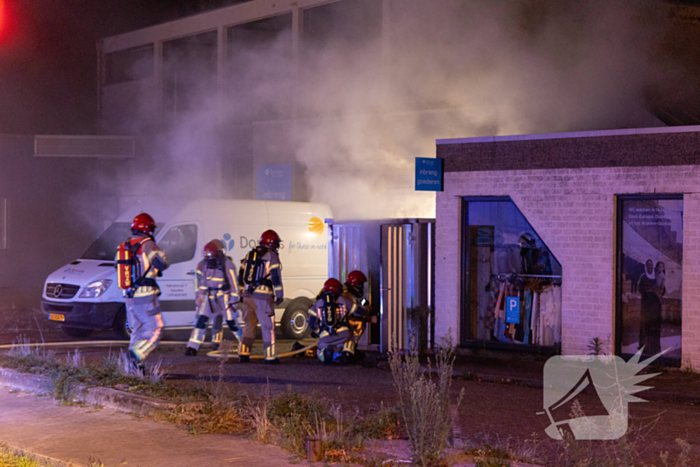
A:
[(594, 233)]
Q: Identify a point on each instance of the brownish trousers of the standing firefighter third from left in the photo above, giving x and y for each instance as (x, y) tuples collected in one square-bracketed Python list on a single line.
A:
[(257, 309)]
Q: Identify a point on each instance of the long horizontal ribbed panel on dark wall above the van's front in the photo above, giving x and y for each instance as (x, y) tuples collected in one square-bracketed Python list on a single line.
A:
[(84, 146)]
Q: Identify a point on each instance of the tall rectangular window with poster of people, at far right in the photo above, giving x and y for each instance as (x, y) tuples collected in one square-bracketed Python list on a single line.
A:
[(649, 275)]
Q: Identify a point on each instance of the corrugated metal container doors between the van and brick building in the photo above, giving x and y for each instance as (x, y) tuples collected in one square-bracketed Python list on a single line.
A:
[(398, 257)]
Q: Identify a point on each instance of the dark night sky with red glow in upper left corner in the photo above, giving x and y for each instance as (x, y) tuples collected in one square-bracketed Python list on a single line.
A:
[(48, 64)]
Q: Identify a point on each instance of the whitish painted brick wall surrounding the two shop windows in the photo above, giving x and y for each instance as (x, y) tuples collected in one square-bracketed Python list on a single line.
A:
[(573, 211)]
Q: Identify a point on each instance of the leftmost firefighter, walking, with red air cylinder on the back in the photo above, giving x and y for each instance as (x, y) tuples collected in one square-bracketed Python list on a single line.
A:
[(139, 262)]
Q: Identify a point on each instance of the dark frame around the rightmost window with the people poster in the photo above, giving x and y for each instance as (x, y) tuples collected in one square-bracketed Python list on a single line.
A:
[(617, 306)]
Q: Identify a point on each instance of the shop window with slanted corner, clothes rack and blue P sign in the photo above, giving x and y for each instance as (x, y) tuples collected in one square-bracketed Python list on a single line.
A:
[(511, 282)]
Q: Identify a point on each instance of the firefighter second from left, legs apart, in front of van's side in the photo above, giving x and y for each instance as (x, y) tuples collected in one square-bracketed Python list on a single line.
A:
[(216, 295)]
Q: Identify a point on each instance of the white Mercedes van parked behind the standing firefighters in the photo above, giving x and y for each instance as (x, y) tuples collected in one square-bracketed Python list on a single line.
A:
[(84, 295)]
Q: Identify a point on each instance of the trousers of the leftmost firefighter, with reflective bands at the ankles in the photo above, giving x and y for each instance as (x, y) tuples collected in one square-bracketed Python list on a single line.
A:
[(146, 323)]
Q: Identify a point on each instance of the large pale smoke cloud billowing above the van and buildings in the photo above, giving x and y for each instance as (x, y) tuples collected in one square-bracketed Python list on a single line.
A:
[(359, 106)]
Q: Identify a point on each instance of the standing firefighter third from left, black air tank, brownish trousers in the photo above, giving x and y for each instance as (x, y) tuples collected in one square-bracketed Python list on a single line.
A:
[(260, 277)]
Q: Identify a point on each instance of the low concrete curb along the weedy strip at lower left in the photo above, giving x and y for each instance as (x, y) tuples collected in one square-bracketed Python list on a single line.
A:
[(107, 397)]
